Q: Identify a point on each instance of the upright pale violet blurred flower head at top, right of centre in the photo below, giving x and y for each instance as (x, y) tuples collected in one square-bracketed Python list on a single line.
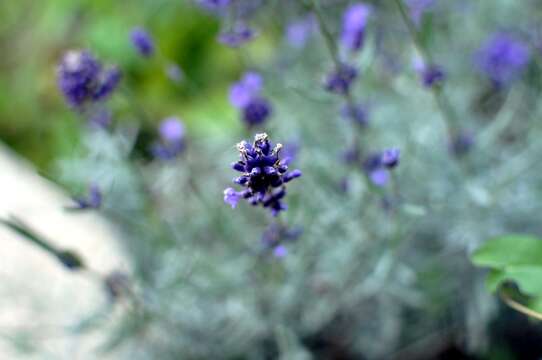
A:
[(354, 22)]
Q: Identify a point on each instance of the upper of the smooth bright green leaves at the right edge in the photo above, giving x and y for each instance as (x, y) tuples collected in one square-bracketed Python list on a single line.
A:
[(509, 250)]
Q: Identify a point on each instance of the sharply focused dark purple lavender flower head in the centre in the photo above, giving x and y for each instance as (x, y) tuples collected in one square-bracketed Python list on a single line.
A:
[(263, 177)]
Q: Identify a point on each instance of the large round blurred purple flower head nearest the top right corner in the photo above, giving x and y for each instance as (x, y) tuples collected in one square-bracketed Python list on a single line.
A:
[(502, 58)]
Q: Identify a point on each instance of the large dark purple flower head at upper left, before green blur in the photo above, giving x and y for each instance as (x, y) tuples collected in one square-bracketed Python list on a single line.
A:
[(78, 75)]
